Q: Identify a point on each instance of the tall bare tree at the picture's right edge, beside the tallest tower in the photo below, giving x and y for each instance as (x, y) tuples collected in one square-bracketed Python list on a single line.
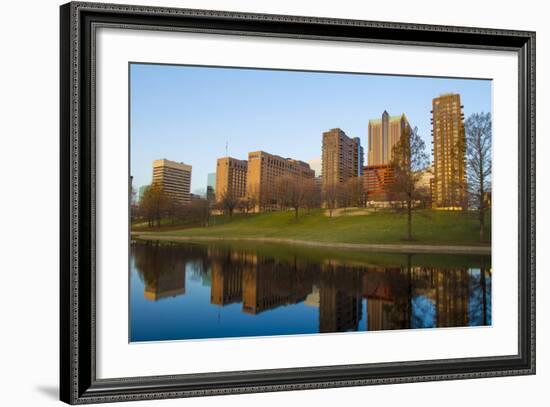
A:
[(478, 164)]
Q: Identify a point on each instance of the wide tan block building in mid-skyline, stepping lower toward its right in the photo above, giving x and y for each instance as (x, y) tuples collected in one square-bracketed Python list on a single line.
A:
[(264, 170)]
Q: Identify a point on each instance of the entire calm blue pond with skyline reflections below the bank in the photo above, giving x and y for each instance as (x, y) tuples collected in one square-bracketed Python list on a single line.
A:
[(190, 291)]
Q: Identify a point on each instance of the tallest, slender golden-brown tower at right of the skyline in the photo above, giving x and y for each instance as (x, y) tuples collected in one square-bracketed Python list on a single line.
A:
[(449, 151)]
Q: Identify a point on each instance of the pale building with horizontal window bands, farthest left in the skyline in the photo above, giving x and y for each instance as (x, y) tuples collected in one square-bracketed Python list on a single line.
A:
[(174, 178)]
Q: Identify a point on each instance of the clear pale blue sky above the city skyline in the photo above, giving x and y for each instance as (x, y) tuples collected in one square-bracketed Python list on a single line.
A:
[(188, 114)]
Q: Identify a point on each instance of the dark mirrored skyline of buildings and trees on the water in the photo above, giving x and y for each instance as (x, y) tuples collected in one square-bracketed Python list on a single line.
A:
[(393, 297)]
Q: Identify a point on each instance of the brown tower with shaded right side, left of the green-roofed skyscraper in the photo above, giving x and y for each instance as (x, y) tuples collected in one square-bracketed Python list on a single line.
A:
[(342, 157)]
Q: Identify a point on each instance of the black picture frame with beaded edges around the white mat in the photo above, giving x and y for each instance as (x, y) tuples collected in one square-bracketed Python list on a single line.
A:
[(78, 382)]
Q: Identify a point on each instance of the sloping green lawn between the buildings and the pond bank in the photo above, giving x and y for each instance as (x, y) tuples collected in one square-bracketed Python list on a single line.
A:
[(382, 227)]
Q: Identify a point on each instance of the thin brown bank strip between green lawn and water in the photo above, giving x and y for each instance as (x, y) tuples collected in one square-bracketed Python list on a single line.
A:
[(387, 248)]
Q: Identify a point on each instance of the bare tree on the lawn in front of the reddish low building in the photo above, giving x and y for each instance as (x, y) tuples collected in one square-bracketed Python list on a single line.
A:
[(409, 160)]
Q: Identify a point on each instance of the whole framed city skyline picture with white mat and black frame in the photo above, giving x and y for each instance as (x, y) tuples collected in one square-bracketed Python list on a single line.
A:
[(255, 203)]
